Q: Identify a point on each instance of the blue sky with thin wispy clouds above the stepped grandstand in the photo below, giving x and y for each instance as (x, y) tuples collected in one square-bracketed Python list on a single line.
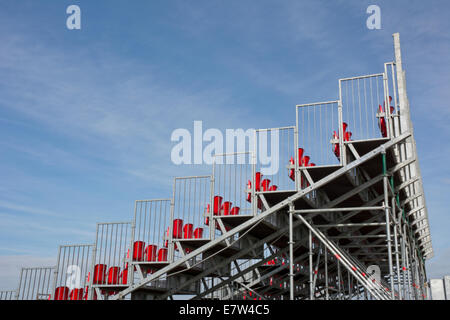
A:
[(86, 115)]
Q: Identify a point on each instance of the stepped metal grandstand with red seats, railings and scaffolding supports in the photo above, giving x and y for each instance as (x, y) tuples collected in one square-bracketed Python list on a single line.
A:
[(344, 218)]
